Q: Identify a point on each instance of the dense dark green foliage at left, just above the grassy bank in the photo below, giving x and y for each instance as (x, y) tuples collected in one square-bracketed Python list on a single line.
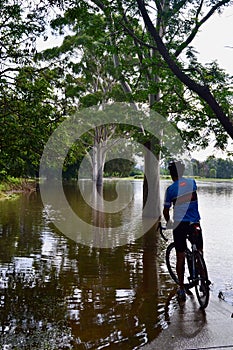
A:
[(27, 120)]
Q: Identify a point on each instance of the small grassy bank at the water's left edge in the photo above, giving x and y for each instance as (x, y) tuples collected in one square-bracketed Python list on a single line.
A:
[(12, 186)]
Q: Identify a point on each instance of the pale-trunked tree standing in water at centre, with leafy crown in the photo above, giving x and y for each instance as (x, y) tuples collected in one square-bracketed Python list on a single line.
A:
[(95, 78)]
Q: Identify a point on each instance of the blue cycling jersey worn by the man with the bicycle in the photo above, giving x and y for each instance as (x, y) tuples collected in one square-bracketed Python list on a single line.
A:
[(182, 195)]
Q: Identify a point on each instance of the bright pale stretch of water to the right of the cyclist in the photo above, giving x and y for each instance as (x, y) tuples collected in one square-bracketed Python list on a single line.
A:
[(216, 201)]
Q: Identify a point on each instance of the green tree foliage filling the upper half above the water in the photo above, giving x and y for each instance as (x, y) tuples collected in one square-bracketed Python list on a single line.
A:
[(106, 57)]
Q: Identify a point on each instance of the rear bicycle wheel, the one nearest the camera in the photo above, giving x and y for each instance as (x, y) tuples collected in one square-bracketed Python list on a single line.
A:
[(202, 282)]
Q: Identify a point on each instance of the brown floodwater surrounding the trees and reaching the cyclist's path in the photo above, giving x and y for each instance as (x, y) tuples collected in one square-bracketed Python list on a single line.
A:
[(58, 293)]
